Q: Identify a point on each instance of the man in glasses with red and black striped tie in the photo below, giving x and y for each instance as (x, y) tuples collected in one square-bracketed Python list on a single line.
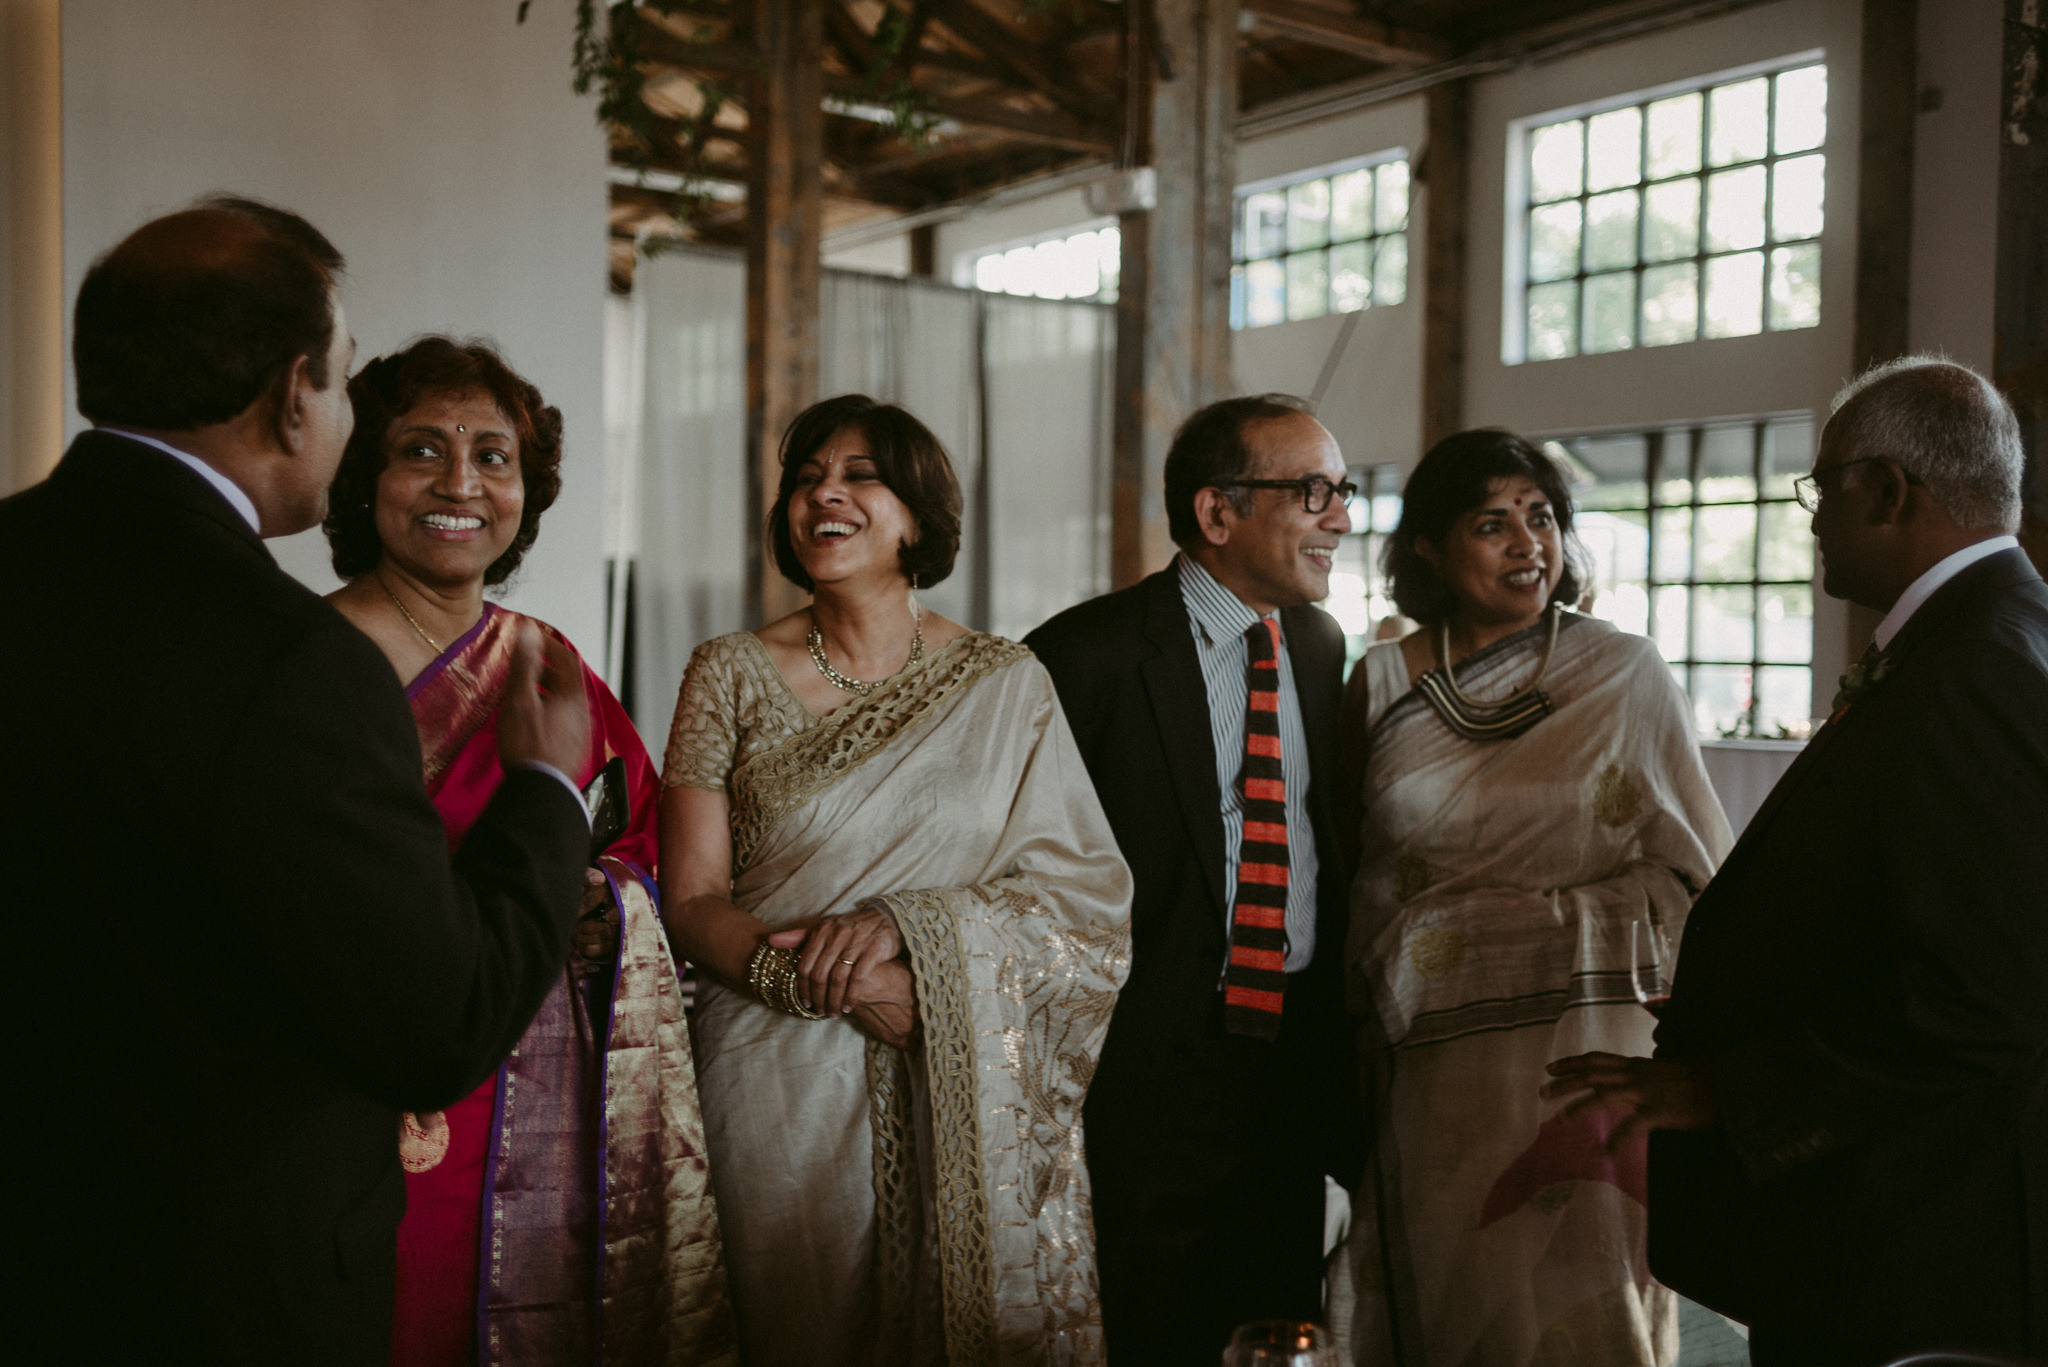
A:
[(1224, 1091)]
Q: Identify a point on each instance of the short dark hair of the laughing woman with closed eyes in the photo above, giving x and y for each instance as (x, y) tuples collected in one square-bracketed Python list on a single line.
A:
[(910, 462)]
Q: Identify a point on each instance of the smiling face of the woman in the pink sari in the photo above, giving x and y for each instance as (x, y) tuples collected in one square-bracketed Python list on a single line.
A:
[(450, 499)]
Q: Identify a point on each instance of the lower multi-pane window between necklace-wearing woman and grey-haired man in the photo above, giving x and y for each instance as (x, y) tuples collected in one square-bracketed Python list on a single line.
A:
[(1701, 546)]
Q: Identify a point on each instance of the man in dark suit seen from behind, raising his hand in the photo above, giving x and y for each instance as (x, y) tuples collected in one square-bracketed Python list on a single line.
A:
[(243, 944)]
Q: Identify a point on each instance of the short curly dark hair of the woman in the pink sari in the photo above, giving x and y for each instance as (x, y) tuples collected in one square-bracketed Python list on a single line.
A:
[(392, 386)]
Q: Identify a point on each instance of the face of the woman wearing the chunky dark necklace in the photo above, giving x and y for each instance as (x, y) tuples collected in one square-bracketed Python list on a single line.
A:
[(1504, 558)]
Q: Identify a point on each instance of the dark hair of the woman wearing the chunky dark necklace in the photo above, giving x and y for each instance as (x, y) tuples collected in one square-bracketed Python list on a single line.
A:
[(1453, 479)]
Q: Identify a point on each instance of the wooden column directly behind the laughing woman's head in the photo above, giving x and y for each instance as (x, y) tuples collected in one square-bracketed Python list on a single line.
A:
[(785, 222)]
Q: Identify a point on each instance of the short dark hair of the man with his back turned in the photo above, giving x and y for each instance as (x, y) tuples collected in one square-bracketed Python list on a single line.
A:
[(194, 317)]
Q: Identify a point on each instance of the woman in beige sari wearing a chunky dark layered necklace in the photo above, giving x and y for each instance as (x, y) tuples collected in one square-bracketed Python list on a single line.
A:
[(1531, 788)]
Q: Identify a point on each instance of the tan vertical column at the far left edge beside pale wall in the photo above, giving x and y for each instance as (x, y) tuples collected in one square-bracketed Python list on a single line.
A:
[(32, 224)]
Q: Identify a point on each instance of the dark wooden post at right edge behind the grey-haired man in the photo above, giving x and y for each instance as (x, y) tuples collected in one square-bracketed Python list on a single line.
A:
[(2020, 319)]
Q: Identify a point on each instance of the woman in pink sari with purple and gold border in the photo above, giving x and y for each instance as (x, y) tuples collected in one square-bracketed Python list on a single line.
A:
[(560, 1212)]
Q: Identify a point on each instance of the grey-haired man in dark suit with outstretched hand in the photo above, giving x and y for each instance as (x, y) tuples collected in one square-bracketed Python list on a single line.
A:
[(1848, 1089)]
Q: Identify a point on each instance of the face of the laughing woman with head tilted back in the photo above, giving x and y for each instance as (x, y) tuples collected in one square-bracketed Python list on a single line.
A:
[(843, 520)]
